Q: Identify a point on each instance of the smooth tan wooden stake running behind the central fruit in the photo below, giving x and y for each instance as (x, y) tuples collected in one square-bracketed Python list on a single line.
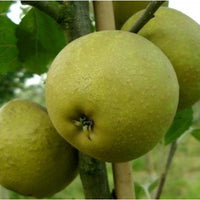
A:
[(122, 172)]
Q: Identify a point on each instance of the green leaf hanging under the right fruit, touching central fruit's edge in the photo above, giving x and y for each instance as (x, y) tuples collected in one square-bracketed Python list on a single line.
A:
[(182, 122)]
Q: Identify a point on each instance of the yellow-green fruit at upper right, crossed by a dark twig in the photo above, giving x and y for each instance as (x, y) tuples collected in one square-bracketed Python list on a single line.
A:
[(178, 36)]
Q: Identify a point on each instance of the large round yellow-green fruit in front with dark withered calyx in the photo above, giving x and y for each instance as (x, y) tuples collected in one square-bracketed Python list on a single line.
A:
[(112, 94)]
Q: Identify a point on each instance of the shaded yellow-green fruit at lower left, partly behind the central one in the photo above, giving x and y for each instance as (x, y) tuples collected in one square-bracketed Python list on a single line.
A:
[(34, 159)]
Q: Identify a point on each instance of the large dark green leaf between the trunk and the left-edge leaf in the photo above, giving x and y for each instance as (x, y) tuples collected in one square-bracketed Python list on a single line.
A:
[(40, 39)]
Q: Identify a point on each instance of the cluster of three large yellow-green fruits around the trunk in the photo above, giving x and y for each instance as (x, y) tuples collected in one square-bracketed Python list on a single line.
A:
[(110, 94)]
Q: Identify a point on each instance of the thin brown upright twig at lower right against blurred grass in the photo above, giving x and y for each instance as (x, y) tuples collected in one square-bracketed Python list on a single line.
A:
[(163, 177)]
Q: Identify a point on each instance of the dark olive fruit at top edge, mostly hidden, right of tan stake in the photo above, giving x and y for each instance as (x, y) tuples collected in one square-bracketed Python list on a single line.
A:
[(125, 9)]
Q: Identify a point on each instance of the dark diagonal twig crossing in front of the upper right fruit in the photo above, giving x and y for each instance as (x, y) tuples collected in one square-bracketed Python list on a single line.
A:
[(146, 16)]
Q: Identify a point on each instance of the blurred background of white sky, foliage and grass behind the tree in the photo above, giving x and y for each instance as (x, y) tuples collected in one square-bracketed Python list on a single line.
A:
[(184, 175)]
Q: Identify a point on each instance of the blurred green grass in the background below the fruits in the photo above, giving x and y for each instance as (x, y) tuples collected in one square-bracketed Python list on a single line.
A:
[(182, 181)]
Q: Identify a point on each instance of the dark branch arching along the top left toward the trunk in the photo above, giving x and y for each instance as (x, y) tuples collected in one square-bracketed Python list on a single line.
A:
[(47, 7)]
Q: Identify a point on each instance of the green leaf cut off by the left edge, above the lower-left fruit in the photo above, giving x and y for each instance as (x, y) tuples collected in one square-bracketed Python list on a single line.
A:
[(8, 49)]
